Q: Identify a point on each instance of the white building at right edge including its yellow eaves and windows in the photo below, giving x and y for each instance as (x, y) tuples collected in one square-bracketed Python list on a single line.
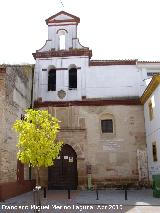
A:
[(150, 99)]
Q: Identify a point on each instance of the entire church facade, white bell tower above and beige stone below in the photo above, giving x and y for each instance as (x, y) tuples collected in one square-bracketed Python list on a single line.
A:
[(97, 102)]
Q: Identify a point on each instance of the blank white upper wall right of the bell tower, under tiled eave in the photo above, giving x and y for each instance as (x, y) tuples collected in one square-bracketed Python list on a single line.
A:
[(113, 81)]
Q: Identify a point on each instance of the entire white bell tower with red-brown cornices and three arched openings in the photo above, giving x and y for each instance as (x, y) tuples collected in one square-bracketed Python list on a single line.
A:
[(60, 69)]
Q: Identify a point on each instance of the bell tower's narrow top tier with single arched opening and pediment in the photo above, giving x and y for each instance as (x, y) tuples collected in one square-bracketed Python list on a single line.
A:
[(62, 33)]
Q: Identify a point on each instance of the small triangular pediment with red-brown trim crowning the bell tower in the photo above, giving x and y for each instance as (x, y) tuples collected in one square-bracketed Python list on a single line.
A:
[(62, 17)]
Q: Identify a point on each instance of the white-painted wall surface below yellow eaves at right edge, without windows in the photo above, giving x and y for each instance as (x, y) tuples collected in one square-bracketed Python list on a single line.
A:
[(153, 132)]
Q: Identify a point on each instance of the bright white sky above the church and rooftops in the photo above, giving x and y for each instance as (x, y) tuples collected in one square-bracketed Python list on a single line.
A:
[(112, 29)]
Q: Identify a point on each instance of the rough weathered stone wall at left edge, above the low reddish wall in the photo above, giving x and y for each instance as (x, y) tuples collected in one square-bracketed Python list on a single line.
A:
[(15, 97)]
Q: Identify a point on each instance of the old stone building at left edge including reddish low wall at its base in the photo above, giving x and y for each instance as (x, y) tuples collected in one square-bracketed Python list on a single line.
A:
[(15, 97)]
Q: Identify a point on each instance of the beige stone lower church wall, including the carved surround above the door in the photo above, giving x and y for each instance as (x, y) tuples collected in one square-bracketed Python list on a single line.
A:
[(112, 157)]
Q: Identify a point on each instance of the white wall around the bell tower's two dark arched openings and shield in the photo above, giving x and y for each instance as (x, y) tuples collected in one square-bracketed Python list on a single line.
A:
[(62, 81)]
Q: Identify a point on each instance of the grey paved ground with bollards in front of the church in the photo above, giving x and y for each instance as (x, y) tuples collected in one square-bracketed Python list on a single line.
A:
[(138, 201)]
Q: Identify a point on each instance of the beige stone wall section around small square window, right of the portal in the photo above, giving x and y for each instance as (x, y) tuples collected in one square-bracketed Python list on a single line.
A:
[(113, 157)]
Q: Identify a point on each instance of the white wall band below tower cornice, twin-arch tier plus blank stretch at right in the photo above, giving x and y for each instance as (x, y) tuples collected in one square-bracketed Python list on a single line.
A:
[(118, 81)]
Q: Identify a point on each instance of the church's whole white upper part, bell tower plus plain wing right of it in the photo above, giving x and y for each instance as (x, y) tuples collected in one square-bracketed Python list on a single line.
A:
[(95, 79)]
